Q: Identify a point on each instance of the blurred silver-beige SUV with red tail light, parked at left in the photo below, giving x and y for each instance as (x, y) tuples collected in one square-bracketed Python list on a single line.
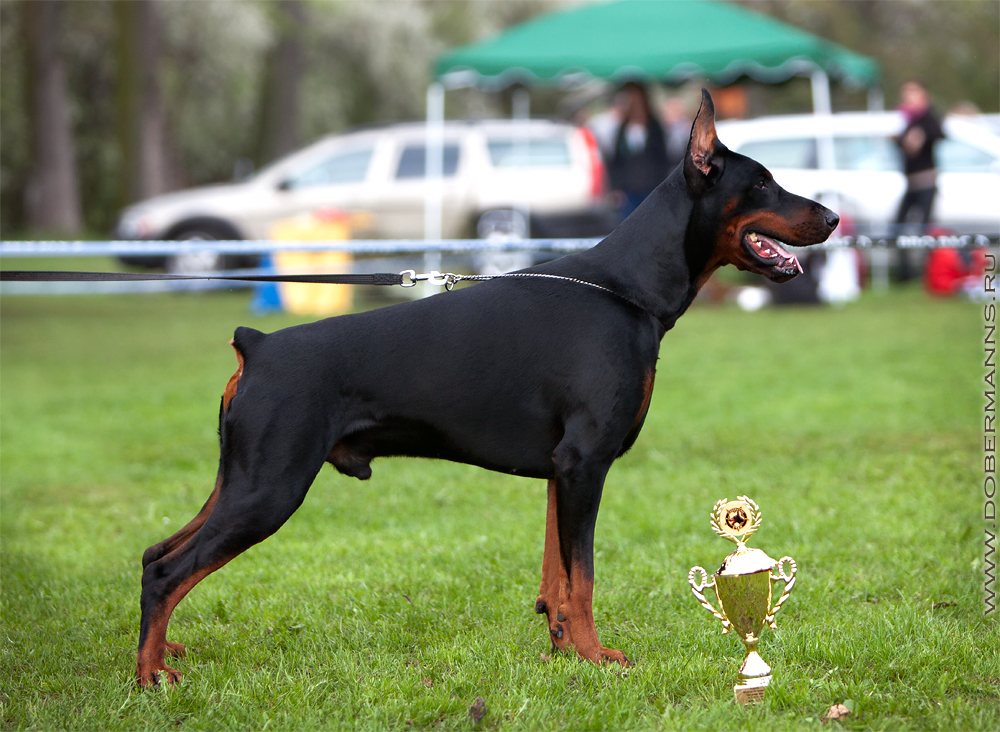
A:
[(551, 169)]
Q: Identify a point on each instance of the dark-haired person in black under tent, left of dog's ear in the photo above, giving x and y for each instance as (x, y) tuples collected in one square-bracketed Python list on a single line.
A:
[(639, 160)]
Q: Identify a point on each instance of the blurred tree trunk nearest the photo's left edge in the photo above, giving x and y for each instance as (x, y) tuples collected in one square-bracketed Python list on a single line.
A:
[(52, 194)]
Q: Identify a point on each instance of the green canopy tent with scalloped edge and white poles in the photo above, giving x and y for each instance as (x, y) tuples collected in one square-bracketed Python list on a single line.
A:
[(665, 41)]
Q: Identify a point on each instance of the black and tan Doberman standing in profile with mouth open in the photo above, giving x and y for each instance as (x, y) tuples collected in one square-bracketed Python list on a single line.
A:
[(542, 377)]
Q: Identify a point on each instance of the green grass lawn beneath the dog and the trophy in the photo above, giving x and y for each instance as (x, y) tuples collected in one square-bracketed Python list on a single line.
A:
[(394, 603)]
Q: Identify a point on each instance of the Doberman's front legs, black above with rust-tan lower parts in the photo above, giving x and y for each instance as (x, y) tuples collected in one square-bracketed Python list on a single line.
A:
[(567, 588)]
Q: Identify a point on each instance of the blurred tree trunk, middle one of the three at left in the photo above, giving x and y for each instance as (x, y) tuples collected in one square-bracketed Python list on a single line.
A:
[(142, 125)]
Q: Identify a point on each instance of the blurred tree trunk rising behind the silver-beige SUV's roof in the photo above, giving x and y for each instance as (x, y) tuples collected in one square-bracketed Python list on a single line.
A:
[(280, 106)]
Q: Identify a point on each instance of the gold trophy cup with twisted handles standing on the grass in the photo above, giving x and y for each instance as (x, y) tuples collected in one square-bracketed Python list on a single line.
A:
[(743, 588)]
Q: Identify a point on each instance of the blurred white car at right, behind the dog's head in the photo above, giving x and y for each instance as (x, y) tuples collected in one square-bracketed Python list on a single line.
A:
[(866, 182)]
